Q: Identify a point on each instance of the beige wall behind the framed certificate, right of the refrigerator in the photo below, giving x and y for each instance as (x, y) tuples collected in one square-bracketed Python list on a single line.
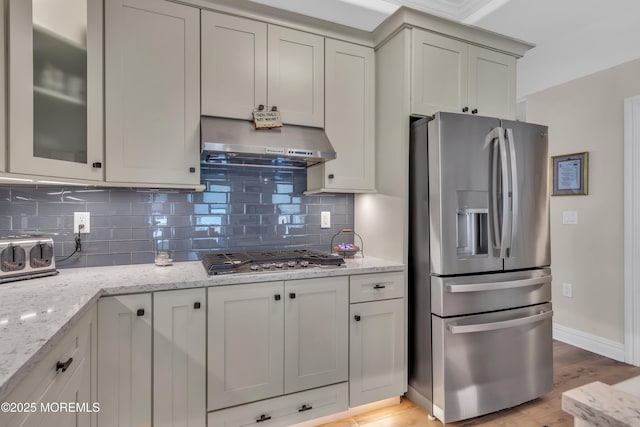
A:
[(586, 114)]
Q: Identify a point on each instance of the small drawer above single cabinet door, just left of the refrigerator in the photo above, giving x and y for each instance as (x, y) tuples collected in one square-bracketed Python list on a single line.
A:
[(373, 287)]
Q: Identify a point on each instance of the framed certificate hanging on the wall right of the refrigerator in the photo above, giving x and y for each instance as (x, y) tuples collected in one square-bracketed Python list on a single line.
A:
[(570, 174)]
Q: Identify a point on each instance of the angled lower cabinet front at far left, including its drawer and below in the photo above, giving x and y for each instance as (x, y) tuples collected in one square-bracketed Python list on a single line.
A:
[(65, 375)]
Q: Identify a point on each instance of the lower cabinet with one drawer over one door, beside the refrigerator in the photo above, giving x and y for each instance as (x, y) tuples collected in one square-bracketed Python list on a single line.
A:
[(377, 360)]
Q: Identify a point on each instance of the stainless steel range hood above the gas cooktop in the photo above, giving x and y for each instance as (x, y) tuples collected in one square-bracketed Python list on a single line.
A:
[(237, 142)]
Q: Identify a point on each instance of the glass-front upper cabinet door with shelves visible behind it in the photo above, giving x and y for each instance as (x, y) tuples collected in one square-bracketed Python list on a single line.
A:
[(56, 88)]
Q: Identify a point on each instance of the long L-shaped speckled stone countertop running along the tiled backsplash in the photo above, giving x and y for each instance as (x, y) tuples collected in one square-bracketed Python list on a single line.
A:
[(36, 313)]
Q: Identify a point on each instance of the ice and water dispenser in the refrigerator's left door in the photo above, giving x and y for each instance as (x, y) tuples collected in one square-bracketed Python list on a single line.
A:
[(472, 224)]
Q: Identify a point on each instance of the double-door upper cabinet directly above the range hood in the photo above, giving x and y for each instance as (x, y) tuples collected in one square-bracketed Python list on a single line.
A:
[(246, 63)]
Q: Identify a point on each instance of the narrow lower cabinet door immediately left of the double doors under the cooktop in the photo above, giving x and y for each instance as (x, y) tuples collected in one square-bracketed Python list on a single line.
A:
[(179, 358)]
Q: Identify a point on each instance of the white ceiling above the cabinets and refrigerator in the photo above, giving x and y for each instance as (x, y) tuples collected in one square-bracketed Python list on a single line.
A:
[(573, 38)]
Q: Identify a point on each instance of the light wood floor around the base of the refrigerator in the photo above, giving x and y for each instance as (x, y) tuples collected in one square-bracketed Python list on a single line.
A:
[(573, 367)]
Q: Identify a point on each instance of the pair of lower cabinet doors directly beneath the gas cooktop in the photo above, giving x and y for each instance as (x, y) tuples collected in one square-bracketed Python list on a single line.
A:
[(269, 339)]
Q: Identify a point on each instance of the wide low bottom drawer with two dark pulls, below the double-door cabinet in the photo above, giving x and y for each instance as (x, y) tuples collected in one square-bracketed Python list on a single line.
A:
[(285, 410)]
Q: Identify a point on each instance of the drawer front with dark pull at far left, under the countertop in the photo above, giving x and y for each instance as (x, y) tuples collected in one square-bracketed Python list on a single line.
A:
[(46, 382)]
